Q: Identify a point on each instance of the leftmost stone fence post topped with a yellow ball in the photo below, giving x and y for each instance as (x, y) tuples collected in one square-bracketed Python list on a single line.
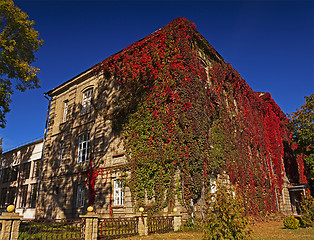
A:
[(10, 224)]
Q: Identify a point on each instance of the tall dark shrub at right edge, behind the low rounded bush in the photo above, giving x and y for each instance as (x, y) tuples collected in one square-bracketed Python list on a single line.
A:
[(307, 211)]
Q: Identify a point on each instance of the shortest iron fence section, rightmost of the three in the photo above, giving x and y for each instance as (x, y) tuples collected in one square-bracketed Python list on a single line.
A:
[(160, 224)]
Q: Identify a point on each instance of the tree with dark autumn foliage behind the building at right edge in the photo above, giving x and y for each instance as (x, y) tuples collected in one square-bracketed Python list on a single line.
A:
[(303, 126)]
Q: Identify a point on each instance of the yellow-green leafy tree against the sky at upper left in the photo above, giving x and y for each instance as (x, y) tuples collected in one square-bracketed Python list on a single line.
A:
[(18, 42)]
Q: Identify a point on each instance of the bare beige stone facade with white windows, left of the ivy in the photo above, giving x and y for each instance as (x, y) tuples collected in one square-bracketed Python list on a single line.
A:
[(77, 137)]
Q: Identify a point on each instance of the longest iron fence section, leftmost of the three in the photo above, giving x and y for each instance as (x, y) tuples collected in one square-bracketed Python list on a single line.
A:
[(69, 229)]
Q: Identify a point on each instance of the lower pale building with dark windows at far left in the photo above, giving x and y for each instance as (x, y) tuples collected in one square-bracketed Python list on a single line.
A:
[(19, 178)]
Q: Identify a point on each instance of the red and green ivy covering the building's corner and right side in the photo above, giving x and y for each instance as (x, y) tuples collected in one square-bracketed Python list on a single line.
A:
[(182, 109)]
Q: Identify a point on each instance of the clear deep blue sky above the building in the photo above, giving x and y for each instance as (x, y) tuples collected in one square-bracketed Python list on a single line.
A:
[(270, 43)]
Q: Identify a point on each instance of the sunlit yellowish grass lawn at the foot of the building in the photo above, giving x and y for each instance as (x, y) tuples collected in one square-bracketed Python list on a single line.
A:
[(261, 231)]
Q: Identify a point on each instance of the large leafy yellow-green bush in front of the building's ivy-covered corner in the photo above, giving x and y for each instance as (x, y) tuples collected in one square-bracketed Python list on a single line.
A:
[(224, 216)]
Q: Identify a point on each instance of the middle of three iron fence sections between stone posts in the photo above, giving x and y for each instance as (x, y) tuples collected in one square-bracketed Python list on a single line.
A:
[(111, 228)]
